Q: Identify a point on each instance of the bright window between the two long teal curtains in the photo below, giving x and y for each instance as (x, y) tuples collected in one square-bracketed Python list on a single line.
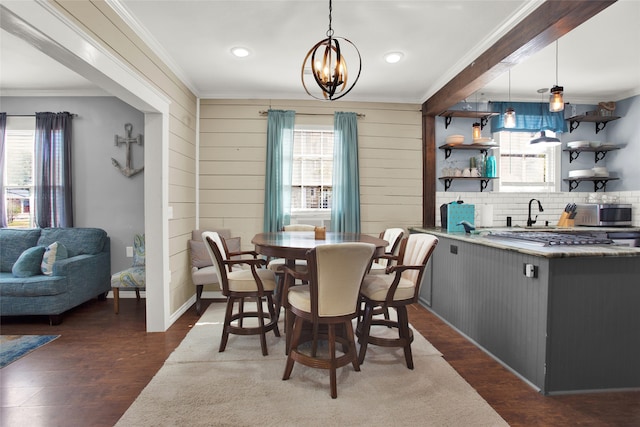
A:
[(311, 187)]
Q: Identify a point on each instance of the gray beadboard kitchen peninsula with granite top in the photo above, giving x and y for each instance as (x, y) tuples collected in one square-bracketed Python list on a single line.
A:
[(563, 318)]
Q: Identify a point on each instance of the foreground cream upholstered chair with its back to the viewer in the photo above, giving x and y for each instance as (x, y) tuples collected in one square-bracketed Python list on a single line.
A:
[(335, 273)]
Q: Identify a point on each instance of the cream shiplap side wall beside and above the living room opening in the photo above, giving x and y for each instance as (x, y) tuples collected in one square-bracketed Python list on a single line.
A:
[(100, 21)]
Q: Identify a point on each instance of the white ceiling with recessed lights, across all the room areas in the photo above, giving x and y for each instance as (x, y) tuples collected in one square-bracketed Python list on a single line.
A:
[(598, 61)]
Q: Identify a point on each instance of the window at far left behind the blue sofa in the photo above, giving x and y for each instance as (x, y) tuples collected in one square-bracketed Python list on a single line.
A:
[(18, 178)]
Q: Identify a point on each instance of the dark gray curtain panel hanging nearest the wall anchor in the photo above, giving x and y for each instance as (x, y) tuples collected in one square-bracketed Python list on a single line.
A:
[(52, 181)]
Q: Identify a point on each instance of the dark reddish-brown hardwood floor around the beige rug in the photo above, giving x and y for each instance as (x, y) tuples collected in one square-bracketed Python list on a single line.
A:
[(102, 361)]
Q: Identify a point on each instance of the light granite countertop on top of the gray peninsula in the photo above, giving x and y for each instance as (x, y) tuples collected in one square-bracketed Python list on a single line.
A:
[(481, 237)]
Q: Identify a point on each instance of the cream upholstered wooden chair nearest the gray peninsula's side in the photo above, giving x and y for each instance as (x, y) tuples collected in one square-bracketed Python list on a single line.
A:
[(397, 289)]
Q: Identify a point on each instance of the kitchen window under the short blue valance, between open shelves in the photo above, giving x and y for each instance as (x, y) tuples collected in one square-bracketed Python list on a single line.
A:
[(525, 167)]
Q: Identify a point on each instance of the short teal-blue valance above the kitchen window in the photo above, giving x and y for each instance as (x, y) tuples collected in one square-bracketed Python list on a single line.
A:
[(530, 117)]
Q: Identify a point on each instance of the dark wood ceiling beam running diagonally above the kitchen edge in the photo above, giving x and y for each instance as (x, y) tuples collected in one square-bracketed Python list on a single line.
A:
[(546, 24)]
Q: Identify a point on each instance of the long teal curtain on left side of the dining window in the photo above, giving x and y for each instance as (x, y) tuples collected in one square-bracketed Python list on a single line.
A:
[(277, 187)]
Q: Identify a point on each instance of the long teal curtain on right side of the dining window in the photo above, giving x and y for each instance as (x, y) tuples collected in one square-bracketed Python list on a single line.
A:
[(345, 209)]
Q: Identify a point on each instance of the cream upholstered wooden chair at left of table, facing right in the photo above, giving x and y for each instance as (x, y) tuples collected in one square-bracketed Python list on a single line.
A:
[(256, 283)]
